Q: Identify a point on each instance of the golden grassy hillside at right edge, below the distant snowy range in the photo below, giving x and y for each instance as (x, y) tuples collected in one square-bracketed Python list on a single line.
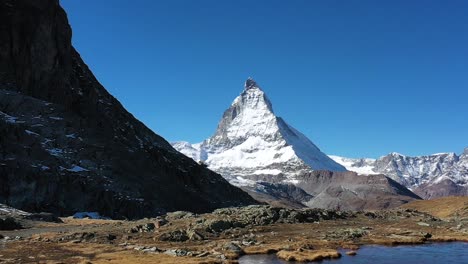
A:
[(446, 207)]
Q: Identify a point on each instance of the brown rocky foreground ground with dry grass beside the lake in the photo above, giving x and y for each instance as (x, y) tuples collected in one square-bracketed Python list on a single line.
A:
[(226, 234)]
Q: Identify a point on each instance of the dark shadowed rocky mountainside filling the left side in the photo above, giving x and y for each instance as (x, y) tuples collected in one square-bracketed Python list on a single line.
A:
[(67, 145)]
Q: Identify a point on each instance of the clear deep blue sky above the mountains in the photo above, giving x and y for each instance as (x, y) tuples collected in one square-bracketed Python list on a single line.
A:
[(360, 78)]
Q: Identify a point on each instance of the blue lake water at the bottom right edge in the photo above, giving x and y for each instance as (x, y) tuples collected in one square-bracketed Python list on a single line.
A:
[(453, 253)]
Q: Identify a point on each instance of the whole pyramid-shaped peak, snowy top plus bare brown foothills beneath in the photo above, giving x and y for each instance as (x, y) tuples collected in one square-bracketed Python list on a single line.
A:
[(274, 162)]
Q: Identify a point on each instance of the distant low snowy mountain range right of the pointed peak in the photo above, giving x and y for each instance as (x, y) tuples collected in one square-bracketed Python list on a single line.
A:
[(437, 175)]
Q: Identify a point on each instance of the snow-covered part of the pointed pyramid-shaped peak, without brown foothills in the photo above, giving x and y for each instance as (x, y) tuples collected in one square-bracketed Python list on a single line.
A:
[(251, 143)]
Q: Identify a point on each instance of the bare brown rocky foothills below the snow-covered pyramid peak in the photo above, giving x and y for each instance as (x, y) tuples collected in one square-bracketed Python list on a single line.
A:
[(334, 190)]
